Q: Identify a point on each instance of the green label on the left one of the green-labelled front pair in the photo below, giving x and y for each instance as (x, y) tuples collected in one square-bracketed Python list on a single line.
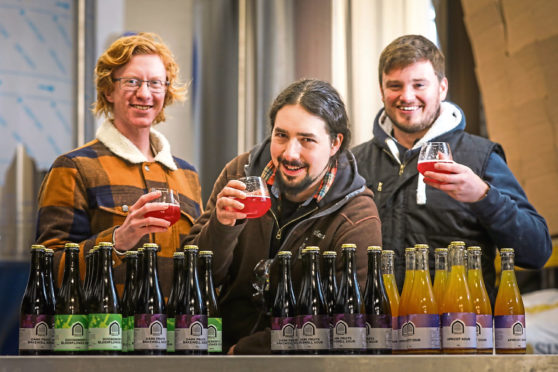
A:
[(70, 332)]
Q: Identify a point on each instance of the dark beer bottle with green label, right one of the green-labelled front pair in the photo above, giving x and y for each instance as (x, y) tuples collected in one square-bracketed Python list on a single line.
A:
[(105, 316)]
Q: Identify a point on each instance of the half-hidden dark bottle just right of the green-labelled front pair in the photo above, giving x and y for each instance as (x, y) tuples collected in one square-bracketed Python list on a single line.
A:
[(128, 302)]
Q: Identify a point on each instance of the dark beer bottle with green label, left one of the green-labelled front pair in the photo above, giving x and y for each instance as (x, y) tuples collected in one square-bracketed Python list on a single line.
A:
[(70, 319)]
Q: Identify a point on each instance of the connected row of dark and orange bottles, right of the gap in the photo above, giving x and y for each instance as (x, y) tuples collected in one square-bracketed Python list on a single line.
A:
[(454, 316)]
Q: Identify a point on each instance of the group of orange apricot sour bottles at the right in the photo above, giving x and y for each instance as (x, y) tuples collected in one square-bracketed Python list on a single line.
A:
[(455, 316)]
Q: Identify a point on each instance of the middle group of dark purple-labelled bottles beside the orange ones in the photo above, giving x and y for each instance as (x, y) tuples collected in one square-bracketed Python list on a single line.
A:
[(324, 318)]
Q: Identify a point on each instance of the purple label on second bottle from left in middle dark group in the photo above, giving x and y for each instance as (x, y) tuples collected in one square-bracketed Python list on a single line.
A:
[(313, 332)]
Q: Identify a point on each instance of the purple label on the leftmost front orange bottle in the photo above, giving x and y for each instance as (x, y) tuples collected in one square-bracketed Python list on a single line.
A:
[(421, 332)]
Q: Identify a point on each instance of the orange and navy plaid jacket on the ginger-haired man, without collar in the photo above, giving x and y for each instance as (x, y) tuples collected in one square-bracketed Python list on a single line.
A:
[(88, 192)]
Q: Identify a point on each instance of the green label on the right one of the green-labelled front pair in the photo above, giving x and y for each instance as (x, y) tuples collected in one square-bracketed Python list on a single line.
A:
[(105, 332)]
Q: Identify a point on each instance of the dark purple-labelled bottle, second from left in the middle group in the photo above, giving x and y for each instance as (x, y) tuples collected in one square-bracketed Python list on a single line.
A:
[(312, 324)]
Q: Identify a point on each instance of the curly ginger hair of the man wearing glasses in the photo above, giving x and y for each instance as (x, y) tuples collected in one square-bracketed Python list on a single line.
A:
[(120, 53)]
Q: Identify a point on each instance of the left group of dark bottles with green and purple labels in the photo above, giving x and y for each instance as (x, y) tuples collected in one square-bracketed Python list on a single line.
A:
[(97, 321)]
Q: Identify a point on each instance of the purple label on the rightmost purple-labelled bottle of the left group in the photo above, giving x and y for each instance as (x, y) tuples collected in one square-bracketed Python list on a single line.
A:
[(190, 332)]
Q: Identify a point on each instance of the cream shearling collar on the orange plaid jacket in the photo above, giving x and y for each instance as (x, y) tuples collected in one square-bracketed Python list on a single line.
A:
[(124, 148)]
